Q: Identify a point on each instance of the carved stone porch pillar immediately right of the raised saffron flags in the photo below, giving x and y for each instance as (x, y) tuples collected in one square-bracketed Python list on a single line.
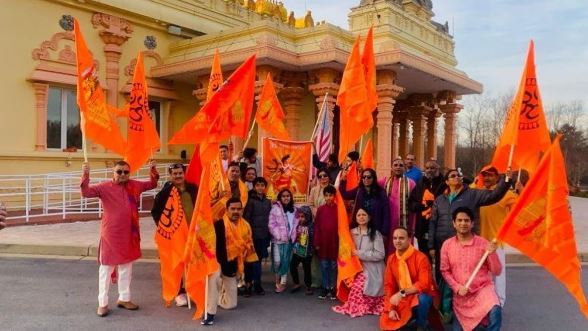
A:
[(387, 94)]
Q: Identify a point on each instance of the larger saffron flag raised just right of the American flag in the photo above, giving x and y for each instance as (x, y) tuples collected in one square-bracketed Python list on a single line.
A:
[(355, 116)]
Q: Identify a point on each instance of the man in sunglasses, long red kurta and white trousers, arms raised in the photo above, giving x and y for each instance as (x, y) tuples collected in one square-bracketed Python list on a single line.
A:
[(119, 229)]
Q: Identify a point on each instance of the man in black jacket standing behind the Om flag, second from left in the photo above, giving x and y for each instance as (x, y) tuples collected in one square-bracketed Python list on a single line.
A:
[(188, 194)]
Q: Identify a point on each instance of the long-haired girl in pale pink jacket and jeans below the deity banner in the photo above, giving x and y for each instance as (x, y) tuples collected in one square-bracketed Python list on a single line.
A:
[(282, 226)]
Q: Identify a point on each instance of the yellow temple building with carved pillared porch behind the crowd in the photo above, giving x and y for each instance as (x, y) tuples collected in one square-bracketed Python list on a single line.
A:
[(418, 83)]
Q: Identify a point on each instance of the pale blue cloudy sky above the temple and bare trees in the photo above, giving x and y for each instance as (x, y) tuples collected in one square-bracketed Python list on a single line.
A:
[(492, 37)]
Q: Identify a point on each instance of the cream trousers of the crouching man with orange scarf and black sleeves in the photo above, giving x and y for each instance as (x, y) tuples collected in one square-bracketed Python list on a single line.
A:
[(222, 291)]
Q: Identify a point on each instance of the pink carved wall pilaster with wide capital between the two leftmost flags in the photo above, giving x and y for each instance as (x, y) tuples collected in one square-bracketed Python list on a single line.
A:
[(116, 31)]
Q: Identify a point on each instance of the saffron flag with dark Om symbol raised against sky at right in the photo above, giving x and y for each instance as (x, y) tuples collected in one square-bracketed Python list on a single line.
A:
[(525, 125)]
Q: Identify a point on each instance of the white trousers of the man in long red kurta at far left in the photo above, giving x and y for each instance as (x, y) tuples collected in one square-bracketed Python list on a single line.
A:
[(123, 279)]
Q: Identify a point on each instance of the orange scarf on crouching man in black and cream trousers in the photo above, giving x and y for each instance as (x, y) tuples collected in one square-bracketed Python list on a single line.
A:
[(239, 241)]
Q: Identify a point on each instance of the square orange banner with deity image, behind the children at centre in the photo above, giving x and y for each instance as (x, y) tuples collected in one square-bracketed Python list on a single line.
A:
[(286, 164)]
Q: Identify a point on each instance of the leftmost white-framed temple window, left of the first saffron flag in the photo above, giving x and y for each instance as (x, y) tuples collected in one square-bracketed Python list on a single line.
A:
[(63, 119)]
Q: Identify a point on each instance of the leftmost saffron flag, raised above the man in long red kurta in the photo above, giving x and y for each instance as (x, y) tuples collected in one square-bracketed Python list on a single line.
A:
[(97, 121)]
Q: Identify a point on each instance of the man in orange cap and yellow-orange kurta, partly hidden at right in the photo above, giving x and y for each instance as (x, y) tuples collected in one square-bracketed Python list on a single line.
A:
[(491, 218)]
